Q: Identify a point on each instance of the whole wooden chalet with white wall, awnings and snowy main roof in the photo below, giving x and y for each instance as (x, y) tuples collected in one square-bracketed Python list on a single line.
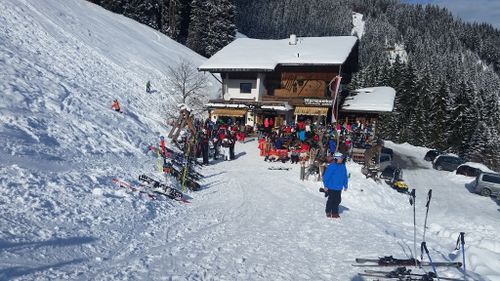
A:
[(281, 79)]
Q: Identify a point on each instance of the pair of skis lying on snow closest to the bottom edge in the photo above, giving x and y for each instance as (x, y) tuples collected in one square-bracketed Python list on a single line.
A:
[(402, 273)]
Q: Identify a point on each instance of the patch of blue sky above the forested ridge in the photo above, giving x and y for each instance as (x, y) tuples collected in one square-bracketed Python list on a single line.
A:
[(469, 10)]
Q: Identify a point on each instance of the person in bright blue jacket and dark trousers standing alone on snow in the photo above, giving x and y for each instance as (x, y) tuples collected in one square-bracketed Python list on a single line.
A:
[(334, 180)]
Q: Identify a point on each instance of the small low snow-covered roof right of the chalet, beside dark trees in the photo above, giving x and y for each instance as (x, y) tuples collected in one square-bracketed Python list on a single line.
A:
[(376, 99)]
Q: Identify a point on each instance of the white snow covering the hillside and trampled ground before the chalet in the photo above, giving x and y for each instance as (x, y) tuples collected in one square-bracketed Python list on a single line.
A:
[(63, 219)]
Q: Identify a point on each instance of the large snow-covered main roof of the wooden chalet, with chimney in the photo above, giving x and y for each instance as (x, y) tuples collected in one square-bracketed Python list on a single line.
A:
[(246, 54)]
